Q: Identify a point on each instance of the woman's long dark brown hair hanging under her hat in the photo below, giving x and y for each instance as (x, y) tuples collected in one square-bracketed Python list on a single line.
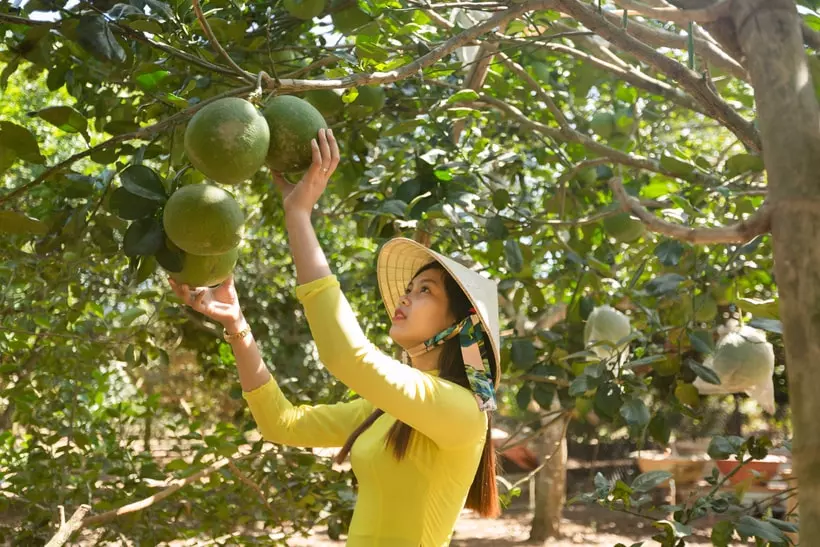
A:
[(483, 495)]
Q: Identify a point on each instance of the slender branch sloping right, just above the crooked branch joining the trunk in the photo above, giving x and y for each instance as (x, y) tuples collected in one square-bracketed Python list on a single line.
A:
[(616, 156)]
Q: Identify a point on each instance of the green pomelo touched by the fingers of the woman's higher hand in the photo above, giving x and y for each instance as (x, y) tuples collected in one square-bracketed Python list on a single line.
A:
[(293, 123)]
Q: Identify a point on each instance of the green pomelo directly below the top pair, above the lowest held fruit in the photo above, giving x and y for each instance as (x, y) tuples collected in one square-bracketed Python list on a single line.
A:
[(203, 219)]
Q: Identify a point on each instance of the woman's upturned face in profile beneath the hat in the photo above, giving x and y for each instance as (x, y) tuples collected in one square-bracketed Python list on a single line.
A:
[(423, 311)]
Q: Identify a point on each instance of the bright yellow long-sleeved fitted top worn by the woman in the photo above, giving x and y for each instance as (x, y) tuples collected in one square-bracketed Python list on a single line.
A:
[(409, 503)]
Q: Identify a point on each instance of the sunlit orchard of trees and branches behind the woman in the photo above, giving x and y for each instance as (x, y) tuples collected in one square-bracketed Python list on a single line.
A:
[(512, 135)]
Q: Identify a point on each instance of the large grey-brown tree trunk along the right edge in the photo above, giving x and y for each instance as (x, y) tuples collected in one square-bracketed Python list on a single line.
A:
[(770, 36)]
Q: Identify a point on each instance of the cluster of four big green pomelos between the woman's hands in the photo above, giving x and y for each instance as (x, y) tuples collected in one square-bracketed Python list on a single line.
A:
[(229, 140)]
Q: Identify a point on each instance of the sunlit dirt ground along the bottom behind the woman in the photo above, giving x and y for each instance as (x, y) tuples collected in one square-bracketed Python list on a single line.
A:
[(582, 525)]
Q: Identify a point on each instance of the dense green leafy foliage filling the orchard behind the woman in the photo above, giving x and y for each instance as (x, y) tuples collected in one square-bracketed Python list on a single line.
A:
[(99, 364)]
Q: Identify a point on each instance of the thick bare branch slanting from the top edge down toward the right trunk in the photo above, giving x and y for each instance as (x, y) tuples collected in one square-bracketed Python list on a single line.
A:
[(691, 81)]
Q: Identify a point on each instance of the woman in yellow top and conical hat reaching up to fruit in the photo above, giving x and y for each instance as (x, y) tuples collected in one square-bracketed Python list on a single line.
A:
[(419, 435)]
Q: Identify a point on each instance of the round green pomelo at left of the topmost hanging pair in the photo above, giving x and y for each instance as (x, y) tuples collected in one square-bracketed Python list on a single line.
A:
[(227, 140)]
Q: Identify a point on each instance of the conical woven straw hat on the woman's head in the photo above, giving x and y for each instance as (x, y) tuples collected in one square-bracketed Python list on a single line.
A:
[(399, 260)]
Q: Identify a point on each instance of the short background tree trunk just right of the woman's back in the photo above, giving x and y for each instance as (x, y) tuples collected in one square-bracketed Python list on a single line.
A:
[(551, 481)]
